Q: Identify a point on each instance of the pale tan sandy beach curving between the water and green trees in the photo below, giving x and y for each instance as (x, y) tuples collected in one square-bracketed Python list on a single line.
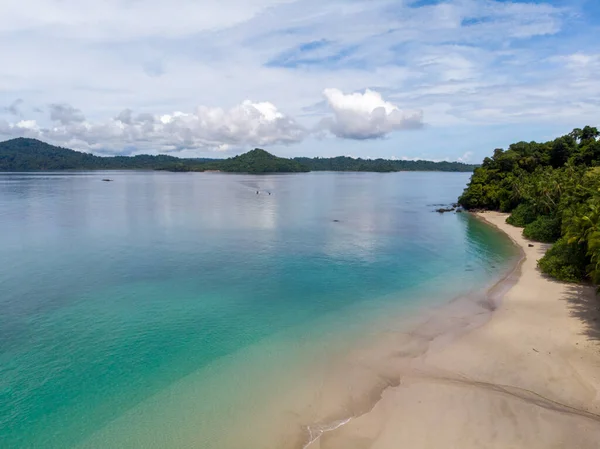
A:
[(527, 378)]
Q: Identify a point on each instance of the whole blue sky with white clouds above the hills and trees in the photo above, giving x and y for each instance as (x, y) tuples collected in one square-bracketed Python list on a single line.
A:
[(404, 79)]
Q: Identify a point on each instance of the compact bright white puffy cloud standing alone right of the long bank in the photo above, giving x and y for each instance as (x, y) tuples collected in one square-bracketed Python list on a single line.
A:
[(366, 115)]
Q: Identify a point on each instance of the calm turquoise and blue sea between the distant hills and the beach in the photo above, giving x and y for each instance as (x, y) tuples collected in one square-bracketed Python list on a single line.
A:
[(158, 309)]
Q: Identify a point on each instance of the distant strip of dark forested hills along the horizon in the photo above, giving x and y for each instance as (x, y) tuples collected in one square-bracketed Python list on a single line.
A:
[(24, 154)]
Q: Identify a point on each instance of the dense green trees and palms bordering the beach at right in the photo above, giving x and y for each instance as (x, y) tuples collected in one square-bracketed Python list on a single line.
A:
[(552, 190)]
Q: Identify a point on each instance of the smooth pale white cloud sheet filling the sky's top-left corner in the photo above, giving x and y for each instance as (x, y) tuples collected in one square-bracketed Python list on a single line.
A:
[(115, 20)]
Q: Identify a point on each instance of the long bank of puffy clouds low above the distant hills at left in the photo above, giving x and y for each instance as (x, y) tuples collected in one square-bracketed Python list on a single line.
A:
[(209, 129)]
